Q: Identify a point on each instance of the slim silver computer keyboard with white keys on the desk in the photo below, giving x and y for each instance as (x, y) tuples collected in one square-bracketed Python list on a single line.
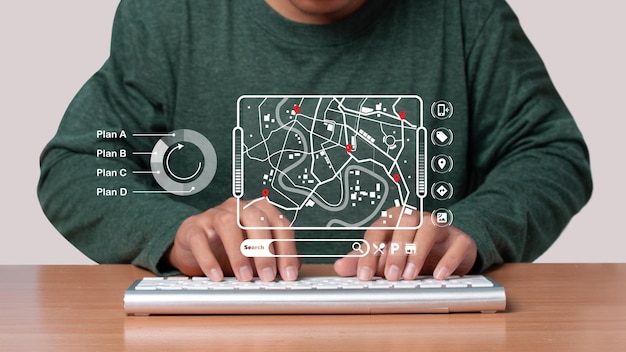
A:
[(313, 295)]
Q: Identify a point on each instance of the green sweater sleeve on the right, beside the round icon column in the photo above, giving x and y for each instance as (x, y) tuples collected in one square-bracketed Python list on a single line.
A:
[(531, 163)]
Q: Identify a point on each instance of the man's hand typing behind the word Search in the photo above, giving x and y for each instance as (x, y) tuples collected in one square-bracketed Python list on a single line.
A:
[(209, 243)]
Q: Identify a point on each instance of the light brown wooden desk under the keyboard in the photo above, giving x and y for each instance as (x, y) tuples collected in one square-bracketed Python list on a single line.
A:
[(552, 307)]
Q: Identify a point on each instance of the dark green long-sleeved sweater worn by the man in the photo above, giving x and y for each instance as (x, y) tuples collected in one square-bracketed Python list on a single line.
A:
[(521, 167)]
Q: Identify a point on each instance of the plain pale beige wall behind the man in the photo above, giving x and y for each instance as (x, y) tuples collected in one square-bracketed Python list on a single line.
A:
[(50, 48)]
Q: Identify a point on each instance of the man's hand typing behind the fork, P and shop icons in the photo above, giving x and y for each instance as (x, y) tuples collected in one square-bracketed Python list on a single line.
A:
[(441, 251)]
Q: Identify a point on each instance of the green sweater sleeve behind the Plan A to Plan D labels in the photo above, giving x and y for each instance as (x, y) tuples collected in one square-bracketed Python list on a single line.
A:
[(122, 96)]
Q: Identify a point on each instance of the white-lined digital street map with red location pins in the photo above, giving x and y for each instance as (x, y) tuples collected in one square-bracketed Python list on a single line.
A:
[(331, 161)]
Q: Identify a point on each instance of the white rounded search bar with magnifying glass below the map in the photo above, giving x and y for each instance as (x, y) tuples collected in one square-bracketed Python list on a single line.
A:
[(263, 247)]
